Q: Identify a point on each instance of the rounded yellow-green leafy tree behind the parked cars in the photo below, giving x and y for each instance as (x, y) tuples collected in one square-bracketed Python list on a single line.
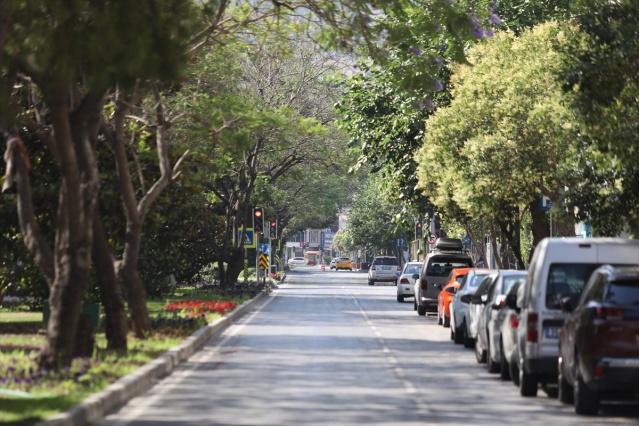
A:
[(501, 143)]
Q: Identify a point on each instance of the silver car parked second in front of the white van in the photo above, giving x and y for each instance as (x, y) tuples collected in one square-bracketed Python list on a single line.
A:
[(488, 330)]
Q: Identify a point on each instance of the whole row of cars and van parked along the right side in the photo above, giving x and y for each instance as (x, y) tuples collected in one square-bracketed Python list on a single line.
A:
[(569, 324)]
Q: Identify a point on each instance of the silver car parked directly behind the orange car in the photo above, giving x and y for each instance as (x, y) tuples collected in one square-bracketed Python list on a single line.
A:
[(459, 318)]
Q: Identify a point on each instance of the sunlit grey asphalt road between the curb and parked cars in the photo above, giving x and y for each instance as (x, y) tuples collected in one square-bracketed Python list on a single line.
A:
[(327, 349)]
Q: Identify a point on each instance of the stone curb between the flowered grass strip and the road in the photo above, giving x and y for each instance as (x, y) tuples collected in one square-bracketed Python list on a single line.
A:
[(96, 406)]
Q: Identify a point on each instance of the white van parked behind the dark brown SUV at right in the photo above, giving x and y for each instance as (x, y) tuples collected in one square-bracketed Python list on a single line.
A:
[(559, 268)]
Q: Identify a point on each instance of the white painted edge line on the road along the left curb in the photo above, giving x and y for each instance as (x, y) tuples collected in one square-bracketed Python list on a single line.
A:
[(177, 376)]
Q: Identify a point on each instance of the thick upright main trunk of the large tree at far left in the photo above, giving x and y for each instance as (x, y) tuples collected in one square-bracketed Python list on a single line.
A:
[(74, 236)]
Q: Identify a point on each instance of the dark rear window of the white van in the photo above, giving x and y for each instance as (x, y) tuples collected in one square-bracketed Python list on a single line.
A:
[(566, 279)]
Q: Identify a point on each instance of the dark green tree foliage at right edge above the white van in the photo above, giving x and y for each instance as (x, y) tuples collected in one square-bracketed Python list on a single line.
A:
[(602, 179)]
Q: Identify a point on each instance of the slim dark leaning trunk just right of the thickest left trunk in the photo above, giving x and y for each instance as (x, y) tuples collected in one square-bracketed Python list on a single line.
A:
[(116, 329)]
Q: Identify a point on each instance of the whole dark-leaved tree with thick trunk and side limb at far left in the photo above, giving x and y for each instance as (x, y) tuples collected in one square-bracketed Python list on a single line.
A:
[(80, 54)]
